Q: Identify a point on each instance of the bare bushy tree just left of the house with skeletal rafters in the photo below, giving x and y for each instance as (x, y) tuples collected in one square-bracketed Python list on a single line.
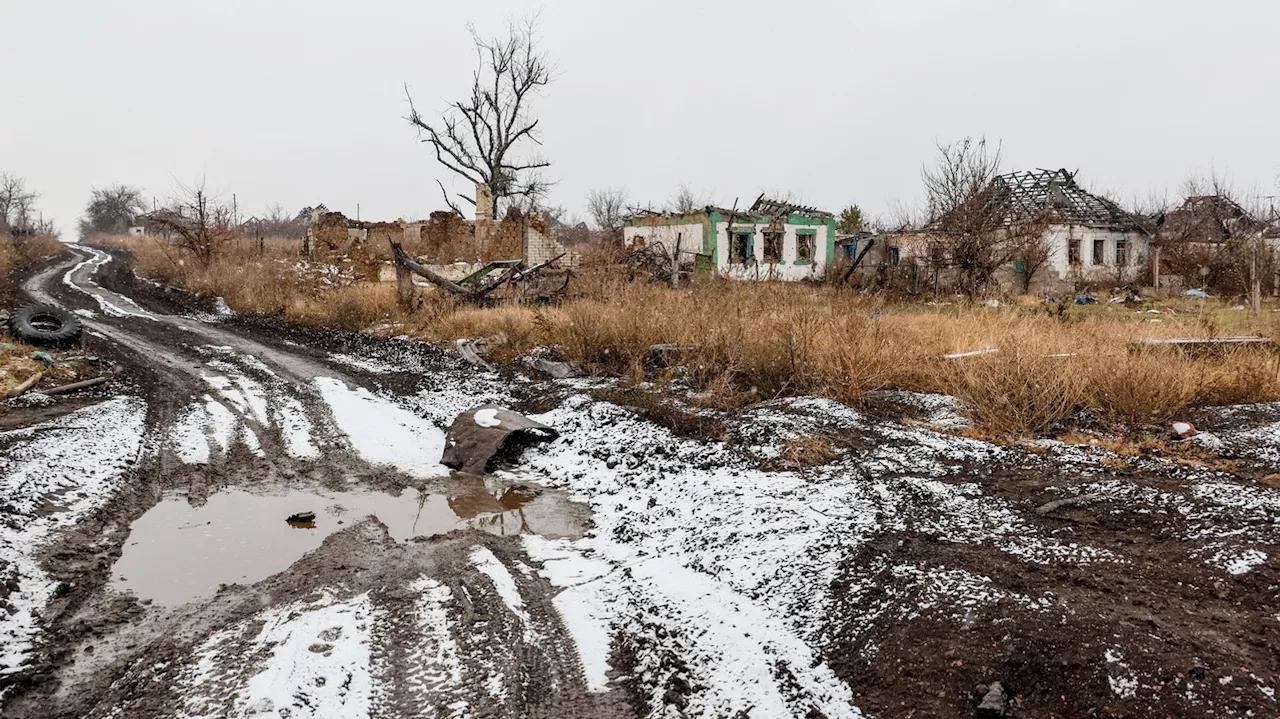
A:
[(973, 217)]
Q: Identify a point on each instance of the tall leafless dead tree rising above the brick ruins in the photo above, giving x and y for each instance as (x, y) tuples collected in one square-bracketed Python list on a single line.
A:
[(477, 139)]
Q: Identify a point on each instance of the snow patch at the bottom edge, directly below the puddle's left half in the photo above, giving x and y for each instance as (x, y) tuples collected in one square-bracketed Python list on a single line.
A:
[(308, 661)]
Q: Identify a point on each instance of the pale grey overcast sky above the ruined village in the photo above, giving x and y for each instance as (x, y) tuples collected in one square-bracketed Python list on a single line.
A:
[(834, 102)]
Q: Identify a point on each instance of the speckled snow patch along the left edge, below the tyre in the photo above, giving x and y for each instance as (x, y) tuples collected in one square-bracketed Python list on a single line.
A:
[(53, 475)]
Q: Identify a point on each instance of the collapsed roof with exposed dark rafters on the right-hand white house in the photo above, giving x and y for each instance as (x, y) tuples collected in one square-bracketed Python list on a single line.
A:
[(1027, 196)]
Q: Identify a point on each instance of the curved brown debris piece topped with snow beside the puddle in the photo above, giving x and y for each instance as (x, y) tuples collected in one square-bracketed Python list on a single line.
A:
[(479, 436)]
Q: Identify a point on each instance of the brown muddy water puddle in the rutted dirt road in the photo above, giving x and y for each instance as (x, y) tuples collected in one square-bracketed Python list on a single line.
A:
[(179, 553)]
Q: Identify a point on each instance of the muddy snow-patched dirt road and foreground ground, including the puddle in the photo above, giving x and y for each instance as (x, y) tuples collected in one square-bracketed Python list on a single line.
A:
[(147, 569)]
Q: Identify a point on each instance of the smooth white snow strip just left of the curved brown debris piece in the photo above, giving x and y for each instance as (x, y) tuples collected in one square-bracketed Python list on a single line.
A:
[(383, 433)]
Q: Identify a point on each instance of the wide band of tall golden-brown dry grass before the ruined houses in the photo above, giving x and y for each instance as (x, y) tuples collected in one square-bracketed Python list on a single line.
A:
[(744, 342)]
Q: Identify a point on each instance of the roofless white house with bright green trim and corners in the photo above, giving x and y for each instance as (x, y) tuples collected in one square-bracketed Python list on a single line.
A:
[(771, 241)]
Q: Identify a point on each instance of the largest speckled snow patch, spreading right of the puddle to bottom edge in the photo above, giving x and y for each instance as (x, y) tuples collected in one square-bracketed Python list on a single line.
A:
[(702, 557)]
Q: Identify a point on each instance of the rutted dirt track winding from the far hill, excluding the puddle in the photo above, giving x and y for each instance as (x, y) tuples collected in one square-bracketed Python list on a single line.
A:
[(364, 626)]
